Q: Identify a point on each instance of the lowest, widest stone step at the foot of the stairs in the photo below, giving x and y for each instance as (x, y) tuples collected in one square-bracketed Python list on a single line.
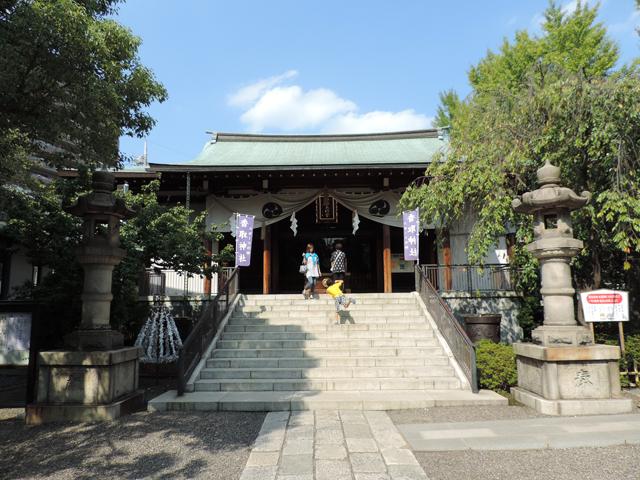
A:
[(333, 400)]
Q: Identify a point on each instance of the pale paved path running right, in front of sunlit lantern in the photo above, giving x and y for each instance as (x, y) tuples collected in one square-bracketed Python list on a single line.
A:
[(535, 433)]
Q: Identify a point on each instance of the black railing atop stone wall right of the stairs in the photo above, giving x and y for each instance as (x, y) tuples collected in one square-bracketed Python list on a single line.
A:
[(492, 277)]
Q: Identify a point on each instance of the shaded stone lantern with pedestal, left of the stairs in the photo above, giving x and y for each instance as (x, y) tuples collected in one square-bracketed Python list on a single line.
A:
[(96, 378)]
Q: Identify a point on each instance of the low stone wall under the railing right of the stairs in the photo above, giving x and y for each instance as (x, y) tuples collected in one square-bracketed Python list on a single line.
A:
[(505, 303)]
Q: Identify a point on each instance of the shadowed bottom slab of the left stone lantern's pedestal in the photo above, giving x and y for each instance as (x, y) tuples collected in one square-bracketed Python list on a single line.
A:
[(37, 414)]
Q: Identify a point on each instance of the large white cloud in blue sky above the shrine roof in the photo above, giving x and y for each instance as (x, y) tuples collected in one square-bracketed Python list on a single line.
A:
[(269, 105)]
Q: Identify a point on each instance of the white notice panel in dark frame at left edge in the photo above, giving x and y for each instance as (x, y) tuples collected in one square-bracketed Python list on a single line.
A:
[(15, 337)]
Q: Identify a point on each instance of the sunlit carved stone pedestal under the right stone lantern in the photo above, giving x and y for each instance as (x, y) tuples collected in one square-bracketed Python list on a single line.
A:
[(580, 380)]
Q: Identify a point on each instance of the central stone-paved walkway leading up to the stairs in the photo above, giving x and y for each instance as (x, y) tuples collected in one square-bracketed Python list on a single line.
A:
[(331, 445)]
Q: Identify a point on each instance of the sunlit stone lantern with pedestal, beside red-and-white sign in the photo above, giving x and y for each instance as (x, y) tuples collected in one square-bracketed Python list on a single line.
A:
[(562, 372)]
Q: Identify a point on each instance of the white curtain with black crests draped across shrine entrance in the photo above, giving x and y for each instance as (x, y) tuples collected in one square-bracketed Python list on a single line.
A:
[(219, 209)]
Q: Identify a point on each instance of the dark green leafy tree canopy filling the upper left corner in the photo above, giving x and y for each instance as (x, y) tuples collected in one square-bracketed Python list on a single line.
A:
[(71, 84)]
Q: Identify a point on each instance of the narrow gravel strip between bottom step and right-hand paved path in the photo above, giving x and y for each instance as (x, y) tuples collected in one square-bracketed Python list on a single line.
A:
[(461, 414)]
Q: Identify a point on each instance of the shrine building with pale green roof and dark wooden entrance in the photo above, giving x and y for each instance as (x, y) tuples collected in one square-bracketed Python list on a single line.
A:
[(317, 189)]
